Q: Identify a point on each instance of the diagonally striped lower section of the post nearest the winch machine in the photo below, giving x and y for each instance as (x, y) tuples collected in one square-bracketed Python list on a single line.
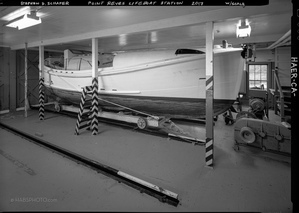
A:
[(209, 138)]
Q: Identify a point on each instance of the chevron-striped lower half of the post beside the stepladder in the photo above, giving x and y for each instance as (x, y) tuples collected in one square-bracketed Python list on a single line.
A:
[(94, 107)]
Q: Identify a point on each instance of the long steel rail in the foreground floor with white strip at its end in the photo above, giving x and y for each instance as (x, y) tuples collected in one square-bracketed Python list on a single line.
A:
[(161, 194)]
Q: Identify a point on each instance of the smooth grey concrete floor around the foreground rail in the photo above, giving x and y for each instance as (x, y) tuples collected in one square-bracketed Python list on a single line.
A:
[(238, 182)]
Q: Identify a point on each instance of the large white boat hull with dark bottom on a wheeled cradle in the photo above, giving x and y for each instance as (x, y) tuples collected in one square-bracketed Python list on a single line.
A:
[(175, 86)]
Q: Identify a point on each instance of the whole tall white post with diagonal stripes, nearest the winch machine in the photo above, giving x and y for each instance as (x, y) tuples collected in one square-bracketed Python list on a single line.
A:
[(209, 146)]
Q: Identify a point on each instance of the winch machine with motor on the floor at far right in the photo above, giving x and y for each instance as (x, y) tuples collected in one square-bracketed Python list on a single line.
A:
[(253, 129)]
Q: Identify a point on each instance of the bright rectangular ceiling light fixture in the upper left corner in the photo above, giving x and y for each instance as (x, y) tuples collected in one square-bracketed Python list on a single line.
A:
[(25, 21)]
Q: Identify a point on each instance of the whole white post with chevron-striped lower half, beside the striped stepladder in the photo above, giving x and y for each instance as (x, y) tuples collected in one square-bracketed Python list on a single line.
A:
[(94, 109)]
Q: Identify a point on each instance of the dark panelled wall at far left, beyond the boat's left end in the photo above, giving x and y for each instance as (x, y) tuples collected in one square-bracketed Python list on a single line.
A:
[(12, 78)]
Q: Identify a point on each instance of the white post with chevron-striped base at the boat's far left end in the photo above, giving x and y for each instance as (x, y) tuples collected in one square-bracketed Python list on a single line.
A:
[(41, 97)]
